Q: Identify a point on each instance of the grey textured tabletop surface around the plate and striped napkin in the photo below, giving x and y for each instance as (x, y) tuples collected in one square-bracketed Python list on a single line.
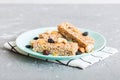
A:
[(15, 19)]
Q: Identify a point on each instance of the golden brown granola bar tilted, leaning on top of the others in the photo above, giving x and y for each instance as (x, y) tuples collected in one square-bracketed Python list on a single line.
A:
[(72, 33)]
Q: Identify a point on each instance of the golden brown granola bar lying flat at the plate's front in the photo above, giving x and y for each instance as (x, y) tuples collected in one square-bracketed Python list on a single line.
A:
[(61, 49)]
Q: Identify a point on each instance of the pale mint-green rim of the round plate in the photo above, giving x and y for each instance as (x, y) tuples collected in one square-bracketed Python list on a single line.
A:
[(41, 56)]
